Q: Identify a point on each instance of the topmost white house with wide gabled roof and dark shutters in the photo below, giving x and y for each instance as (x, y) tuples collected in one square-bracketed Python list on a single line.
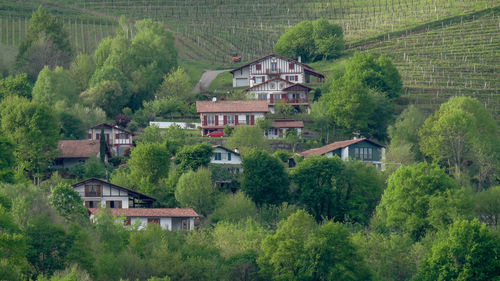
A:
[(270, 67)]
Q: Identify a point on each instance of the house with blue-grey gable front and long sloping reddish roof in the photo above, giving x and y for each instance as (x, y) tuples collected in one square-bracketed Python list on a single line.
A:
[(361, 149)]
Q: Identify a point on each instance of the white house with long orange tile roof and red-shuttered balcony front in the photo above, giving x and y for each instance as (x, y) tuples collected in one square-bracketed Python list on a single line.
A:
[(215, 115)]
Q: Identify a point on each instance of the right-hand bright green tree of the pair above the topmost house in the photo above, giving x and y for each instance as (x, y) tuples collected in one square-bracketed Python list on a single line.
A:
[(328, 39)]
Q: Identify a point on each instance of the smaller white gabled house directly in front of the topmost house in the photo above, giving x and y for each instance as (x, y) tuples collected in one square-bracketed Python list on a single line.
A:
[(279, 90)]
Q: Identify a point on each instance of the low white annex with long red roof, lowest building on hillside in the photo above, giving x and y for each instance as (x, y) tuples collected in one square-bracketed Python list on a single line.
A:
[(167, 218)]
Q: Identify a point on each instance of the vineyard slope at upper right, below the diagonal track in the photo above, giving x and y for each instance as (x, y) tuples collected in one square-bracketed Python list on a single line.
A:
[(461, 58)]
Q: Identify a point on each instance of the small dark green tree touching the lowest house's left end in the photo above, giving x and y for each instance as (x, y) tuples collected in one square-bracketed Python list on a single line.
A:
[(67, 202)]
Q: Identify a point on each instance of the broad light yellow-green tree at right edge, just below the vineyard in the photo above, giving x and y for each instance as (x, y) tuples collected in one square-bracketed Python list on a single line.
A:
[(463, 133)]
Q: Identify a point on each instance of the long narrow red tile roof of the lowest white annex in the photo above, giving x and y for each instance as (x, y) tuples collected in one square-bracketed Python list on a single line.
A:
[(144, 212)]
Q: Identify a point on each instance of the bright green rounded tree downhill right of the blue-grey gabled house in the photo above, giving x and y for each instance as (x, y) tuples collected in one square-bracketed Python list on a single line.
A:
[(405, 203)]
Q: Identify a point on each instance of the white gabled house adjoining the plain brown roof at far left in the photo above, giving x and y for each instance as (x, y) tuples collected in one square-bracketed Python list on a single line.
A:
[(118, 140)]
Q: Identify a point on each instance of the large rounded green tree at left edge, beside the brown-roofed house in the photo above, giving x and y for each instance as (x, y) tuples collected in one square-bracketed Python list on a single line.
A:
[(33, 127)]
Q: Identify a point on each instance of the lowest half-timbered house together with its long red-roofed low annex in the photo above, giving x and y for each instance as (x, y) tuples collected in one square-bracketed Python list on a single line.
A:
[(134, 207)]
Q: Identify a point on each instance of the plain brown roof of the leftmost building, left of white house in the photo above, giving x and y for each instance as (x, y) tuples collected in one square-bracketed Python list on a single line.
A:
[(77, 148)]
